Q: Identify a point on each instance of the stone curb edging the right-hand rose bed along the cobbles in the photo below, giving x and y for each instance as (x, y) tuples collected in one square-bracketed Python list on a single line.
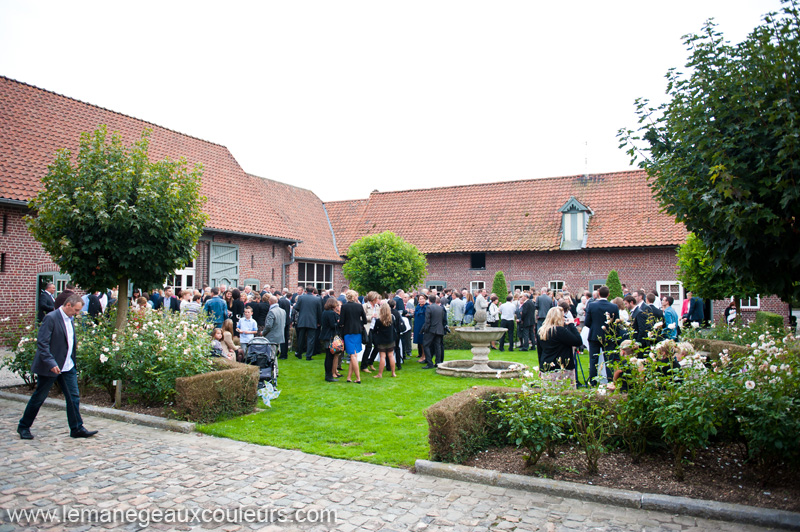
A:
[(736, 513)]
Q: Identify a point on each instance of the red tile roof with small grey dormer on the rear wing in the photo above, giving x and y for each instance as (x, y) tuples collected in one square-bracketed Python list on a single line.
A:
[(511, 216)]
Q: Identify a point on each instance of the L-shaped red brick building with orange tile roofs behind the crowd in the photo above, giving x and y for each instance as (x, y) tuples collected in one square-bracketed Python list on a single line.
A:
[(557, 232)]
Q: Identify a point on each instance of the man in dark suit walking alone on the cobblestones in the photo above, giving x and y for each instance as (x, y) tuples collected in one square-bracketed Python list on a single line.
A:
[(55, 361)]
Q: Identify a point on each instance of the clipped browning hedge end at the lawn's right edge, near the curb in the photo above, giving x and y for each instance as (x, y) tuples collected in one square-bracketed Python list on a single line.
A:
[(460, 425)]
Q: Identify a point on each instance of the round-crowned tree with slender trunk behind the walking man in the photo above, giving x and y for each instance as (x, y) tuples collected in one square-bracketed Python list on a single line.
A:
[(115, 216)]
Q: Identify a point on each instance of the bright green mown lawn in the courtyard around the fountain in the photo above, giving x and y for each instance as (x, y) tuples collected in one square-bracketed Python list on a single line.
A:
[(378, 421)]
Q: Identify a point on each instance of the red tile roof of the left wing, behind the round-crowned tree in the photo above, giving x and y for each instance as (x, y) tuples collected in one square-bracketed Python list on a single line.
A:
[(35, 123)]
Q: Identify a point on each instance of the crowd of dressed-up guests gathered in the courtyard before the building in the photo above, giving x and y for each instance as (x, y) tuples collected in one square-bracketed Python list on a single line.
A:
[(362, 330)]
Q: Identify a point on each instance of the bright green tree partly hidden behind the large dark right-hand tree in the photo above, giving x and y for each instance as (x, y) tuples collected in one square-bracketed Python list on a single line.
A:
[(702, 272)]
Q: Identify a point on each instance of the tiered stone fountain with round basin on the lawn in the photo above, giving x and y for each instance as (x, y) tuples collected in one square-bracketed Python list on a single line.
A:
[(481, 336)]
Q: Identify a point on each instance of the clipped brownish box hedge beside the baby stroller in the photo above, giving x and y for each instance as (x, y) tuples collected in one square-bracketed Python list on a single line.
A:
[(228, 392)]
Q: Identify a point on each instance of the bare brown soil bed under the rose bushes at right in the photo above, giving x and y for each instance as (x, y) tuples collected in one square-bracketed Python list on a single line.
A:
[(719, 473)]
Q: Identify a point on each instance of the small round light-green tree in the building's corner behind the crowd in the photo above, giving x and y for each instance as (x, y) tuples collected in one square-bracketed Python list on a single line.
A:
[(384, 263)]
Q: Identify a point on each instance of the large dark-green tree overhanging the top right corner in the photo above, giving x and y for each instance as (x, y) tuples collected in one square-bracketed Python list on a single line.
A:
[(723, 154)]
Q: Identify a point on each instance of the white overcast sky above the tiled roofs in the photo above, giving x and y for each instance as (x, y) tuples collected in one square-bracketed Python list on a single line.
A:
[(345, 97)]
